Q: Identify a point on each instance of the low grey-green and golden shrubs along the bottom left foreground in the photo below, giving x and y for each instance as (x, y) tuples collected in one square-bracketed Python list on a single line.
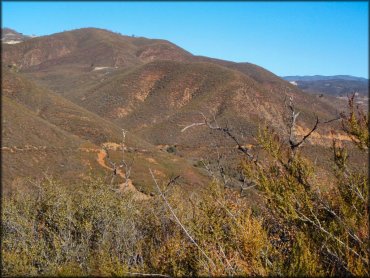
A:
[(92, 229)]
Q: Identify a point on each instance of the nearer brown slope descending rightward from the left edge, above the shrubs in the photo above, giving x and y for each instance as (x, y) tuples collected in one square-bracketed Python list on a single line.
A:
[(64, 140)]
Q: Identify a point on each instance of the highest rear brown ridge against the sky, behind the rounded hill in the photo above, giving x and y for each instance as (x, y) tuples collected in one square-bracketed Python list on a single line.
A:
[(89, 48)]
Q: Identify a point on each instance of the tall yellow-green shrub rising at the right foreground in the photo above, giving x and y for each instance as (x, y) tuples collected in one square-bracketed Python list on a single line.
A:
[(329, 230)]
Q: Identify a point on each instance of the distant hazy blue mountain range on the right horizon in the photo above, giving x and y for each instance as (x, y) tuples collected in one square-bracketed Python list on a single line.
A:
[(336, 85)]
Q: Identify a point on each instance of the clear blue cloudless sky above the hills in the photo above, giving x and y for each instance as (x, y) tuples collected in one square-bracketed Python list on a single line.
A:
[(287, 38)]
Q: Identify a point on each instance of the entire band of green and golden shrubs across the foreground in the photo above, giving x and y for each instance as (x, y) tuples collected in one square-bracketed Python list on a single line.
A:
[(299, 229)]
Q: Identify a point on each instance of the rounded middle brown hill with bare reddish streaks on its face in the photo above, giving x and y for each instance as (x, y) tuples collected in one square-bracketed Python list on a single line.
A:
[(159, 98)]
